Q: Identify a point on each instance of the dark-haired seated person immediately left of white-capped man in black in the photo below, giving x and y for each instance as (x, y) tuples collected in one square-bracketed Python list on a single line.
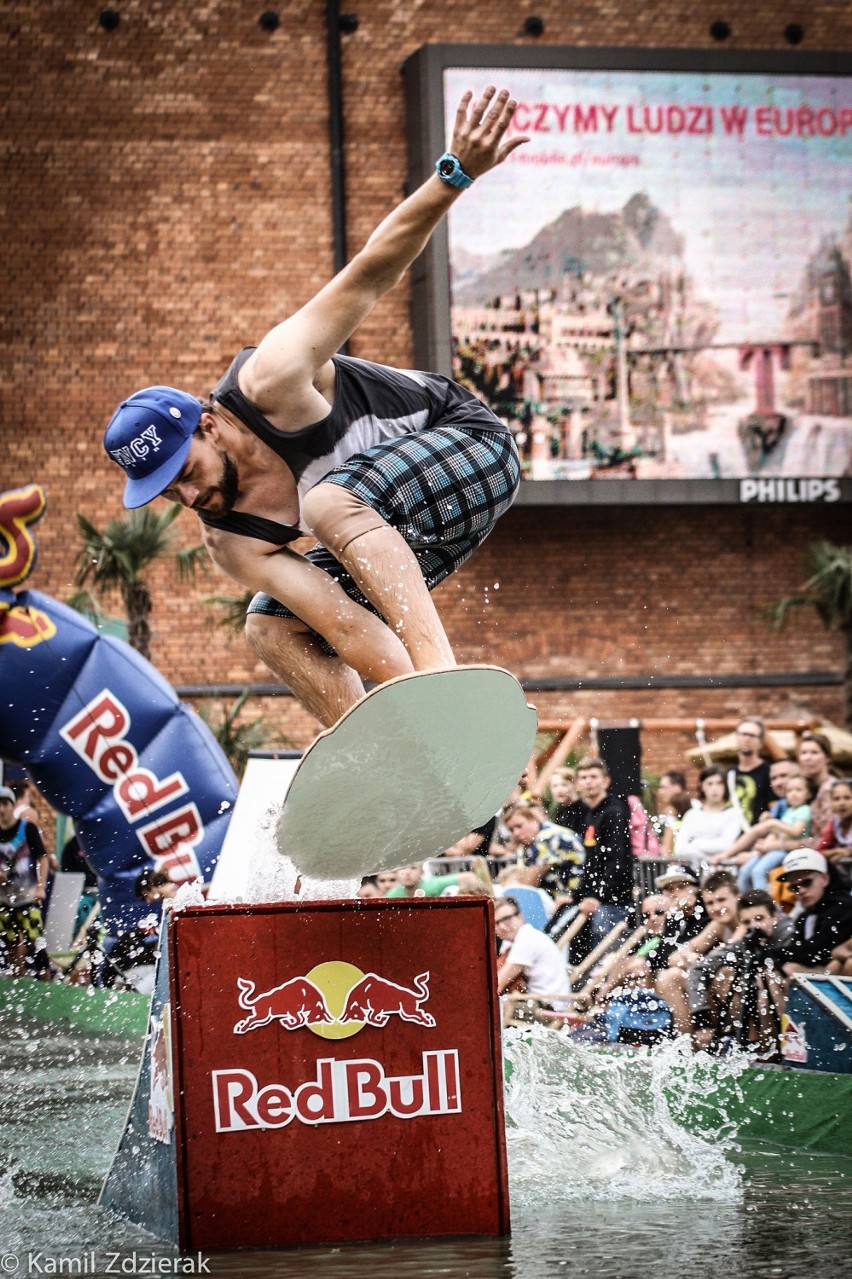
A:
[(713, 980)]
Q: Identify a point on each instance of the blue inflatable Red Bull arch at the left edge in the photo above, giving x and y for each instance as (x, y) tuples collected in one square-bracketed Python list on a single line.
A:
[(104, 736)]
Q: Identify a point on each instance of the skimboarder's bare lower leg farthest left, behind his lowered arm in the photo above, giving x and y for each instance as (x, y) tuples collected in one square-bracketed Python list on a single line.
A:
[(326, 686)]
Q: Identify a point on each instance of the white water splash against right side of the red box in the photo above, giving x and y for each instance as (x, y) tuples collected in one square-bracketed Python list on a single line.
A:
[(592, 1125)]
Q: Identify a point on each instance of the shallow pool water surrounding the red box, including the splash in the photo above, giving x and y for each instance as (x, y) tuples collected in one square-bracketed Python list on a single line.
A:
[(604, 1181)]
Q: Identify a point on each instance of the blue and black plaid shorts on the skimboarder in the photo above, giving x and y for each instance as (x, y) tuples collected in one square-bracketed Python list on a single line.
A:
[(443, 490)]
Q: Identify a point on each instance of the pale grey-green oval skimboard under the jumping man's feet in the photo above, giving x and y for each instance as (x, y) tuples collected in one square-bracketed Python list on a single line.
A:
[(419, 763)]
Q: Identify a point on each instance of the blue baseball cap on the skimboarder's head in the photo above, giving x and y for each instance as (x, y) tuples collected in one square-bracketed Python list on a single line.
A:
[(149, 437)]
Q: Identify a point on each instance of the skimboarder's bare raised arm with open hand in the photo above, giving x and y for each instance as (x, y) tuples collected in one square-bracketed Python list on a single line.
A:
[(299, 347)]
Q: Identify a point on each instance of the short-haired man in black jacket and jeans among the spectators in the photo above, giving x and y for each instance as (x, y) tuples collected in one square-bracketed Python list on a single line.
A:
[(606, 890)]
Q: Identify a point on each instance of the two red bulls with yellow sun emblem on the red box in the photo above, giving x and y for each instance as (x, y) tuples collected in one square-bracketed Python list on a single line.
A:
[(335, 1001)]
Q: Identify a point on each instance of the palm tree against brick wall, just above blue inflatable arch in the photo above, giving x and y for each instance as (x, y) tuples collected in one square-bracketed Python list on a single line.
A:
[(117, 558)]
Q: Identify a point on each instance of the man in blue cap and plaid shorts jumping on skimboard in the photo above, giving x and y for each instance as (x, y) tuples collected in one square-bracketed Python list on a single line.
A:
[(400, 475)]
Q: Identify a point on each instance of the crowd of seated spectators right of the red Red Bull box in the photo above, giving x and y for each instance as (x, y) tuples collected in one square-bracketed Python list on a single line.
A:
[(752, 886)]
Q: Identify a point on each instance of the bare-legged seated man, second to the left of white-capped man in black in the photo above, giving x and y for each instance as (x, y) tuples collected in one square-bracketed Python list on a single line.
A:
[(685, 950)]
